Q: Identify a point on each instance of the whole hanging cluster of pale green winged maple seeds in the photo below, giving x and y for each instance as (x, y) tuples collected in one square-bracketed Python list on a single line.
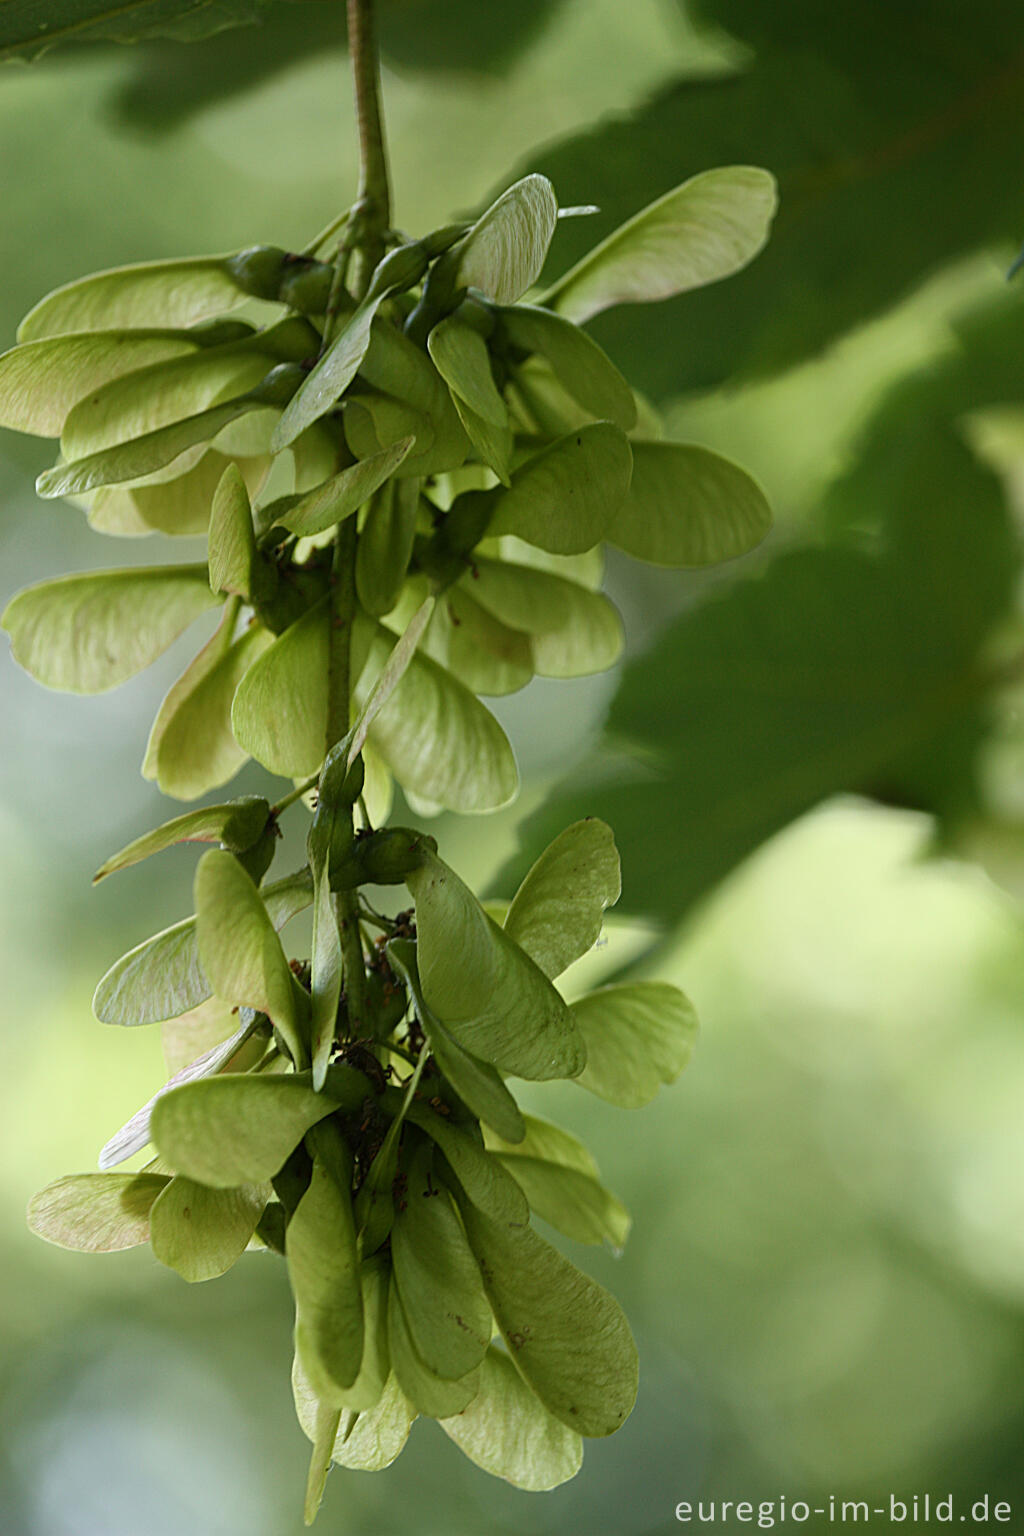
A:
[(483, 449)]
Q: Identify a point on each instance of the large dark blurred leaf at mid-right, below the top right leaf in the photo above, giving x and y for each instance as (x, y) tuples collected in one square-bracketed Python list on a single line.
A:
[(836, 670)]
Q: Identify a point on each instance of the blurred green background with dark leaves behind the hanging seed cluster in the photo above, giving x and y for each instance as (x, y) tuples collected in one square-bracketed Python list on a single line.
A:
[(827, 1273)]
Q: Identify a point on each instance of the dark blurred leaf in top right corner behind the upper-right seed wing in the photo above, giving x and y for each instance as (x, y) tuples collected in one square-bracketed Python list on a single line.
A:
[(890, 165)]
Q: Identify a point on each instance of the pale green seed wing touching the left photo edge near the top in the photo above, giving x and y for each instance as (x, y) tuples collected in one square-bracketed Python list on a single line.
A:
[(44, 380)]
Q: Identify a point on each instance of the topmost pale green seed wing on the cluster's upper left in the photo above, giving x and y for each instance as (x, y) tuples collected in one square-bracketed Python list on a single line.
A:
[(144, 296)]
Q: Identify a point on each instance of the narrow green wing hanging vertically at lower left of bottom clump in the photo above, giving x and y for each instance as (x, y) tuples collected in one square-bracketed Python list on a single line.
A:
[(325, 1273)]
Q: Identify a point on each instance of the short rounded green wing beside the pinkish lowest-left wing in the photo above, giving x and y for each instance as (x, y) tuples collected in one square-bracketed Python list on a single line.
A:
[(200, 1233)]
